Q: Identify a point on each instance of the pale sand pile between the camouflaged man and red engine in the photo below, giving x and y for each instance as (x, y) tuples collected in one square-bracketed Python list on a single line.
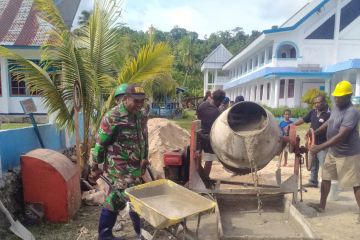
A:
[(164, 135)]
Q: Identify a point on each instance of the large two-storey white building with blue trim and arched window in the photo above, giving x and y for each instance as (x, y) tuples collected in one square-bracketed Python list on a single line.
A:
[(316, 48)]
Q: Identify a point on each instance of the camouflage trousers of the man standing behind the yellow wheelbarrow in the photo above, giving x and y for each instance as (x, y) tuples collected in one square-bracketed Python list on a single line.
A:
[(116, 199)]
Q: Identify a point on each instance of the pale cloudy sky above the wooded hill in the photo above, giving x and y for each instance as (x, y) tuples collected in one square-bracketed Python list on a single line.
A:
[(205, 16)]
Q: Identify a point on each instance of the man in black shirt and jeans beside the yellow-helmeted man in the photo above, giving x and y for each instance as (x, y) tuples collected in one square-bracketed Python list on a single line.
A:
[(316, 118)]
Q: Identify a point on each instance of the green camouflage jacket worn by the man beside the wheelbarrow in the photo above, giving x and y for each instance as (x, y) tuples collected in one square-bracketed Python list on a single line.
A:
[(121, 142)]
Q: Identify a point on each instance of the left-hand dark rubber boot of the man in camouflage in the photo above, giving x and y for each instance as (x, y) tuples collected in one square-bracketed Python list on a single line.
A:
[(106, 224)]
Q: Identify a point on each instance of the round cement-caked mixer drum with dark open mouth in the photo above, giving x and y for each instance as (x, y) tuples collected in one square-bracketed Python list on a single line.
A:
[(244, 132)]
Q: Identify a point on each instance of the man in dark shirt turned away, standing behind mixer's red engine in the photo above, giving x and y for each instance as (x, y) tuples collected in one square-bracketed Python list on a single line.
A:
[(207, 112)]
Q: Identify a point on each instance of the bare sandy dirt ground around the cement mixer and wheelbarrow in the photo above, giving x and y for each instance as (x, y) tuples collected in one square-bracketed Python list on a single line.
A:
[(337, 222)]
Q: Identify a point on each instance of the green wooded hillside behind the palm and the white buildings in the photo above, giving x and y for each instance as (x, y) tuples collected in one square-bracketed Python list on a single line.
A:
[(189, 51)]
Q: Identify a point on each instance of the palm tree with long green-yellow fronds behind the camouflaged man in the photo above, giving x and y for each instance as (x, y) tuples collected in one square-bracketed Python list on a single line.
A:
[(86, 60)]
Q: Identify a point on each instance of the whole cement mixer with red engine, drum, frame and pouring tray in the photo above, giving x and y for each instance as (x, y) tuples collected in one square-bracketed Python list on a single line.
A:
[(243, 136)]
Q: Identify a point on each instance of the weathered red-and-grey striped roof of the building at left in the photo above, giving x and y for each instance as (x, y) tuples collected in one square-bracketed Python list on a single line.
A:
[(20, 25)]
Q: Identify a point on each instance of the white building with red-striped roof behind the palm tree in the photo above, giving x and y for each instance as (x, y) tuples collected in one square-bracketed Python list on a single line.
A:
[(23, 32)]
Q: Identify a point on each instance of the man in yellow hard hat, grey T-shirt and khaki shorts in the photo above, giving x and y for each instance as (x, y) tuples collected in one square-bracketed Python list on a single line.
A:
[(342, 161)]
